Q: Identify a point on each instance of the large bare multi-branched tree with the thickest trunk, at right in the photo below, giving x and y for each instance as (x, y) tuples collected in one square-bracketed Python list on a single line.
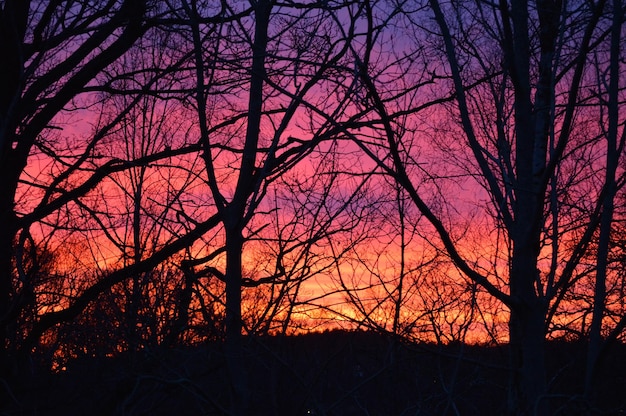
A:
[(519, 85)]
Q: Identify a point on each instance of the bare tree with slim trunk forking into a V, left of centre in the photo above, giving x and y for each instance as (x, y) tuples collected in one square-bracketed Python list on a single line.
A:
[(277, 68)]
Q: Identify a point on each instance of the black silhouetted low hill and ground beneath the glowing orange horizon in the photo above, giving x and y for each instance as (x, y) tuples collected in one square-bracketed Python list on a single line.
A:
[(330, 373)]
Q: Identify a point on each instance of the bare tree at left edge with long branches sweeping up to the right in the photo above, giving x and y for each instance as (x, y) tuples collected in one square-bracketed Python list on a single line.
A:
[(74, 89)]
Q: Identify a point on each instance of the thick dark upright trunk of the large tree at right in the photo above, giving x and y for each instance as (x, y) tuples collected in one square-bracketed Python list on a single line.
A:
[(532, 128)]
